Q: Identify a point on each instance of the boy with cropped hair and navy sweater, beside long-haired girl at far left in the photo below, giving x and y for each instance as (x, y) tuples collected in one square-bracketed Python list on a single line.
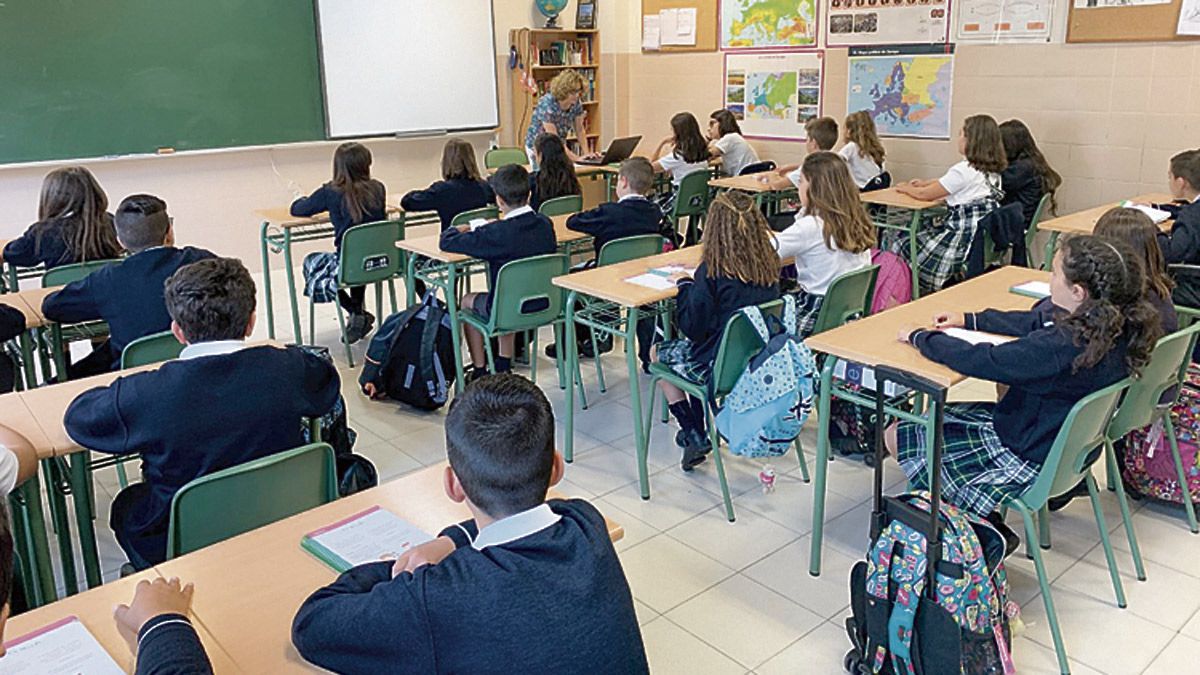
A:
[(127, 295)]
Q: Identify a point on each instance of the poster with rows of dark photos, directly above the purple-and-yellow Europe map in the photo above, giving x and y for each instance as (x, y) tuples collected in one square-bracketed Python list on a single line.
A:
[(887, 22)]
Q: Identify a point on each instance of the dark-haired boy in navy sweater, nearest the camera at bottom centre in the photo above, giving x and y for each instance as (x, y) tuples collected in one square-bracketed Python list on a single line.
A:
[(526, 587)]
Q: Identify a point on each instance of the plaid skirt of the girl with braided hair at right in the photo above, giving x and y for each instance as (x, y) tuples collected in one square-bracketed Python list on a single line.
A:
[(979, 473)]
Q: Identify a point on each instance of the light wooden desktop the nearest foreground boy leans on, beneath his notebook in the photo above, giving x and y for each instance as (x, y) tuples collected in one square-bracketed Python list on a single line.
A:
[(253, 611)]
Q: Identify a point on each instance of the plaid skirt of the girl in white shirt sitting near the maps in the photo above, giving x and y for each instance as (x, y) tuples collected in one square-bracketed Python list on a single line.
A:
[(943, 248)]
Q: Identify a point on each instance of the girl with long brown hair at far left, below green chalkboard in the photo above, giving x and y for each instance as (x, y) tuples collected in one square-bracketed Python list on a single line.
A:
[(74, 224)]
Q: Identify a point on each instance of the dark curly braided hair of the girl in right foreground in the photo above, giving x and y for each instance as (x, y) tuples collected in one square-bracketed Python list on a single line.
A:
[(1115, 307)]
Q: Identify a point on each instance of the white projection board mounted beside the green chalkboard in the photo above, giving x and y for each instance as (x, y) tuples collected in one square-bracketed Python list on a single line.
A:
[(407, 67)]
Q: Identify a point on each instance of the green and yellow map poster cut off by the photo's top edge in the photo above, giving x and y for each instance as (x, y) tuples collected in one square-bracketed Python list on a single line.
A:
[(764, 25)]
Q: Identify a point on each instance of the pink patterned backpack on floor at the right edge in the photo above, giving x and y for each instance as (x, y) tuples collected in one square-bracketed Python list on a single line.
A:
[(1149, 467)]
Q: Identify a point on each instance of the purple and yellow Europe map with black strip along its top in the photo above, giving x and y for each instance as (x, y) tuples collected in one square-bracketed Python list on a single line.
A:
[(907, 89)]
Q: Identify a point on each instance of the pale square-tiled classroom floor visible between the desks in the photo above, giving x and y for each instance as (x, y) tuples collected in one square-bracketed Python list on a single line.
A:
[(736, 598)]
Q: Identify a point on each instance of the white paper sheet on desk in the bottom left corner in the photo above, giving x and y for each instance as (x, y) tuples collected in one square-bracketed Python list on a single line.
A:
[(67, 648)]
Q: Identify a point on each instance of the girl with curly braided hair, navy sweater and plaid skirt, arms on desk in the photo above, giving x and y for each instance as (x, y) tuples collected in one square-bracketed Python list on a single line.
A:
[(995, 451)]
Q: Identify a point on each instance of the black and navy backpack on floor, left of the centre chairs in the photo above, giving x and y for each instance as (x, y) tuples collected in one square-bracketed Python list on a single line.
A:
[(411, 357)]
